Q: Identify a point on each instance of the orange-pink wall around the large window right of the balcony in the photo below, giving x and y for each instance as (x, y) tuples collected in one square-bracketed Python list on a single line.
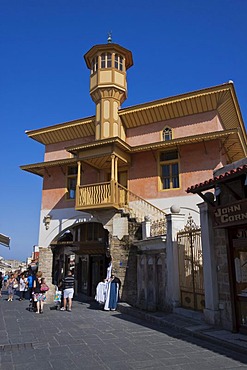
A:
[(194, 166)]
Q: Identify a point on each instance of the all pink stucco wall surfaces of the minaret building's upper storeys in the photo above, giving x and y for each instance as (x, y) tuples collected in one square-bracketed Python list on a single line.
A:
[(196, 162)]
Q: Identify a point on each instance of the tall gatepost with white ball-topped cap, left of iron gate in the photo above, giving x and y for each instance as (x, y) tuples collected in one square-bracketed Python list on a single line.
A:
[(175, 223)]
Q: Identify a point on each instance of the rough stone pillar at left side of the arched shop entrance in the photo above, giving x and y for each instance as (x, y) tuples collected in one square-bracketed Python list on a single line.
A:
[(45, 265)]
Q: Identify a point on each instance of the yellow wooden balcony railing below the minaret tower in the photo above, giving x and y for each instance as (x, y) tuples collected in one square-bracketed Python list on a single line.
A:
[(104, 195)]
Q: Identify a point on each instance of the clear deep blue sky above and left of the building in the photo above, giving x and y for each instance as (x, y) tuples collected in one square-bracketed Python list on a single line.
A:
[(178, 46)]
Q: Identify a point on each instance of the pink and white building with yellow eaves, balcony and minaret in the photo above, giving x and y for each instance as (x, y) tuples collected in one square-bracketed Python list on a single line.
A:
[(114, 184)]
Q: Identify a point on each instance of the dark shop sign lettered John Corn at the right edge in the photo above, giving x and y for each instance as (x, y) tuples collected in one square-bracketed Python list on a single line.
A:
[(231, 214)]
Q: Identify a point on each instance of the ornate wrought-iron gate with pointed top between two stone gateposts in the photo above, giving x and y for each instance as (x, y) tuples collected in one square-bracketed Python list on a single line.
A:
[(191, 266)]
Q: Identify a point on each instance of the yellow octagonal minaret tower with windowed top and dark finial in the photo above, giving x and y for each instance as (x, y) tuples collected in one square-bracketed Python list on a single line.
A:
[(108, 86)]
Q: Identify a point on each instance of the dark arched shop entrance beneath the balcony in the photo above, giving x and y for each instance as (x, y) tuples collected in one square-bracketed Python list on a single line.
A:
[(82, 249)]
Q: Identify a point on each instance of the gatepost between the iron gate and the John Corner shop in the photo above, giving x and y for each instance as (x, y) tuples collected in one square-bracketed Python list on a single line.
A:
[(211, 311)]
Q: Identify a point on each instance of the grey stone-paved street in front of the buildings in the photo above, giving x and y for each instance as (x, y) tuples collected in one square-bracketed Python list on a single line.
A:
[(89, 338)]
